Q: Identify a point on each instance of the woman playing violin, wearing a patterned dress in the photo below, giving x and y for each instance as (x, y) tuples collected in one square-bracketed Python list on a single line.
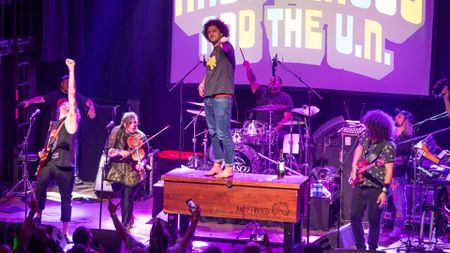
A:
[(127, 148)]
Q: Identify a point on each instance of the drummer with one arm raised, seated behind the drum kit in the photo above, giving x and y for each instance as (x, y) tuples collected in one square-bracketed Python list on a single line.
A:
[(271, 95)]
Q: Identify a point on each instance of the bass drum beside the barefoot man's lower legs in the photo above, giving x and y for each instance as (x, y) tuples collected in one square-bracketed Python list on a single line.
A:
[(246, 159)]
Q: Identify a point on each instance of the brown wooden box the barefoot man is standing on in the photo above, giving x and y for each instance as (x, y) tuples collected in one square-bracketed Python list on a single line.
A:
[(245, 196)]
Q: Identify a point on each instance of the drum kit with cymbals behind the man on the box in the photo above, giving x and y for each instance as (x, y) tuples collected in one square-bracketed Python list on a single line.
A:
[(253, 143)]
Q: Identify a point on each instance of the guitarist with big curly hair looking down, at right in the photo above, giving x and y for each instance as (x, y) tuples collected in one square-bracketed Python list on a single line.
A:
[(375, 144)]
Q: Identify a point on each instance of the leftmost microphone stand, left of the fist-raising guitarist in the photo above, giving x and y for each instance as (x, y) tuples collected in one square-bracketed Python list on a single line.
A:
[(24, 182)]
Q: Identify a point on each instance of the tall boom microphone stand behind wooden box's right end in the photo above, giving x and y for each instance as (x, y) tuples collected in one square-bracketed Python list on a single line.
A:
[(307, 140)]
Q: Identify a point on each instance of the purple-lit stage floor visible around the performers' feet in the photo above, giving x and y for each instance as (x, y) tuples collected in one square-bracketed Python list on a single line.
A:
[(86, 212)]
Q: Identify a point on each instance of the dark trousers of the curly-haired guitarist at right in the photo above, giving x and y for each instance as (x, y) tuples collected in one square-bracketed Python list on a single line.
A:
[(362, 199)]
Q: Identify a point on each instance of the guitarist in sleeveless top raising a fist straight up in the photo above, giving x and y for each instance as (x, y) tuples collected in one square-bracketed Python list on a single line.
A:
[(58, 159)]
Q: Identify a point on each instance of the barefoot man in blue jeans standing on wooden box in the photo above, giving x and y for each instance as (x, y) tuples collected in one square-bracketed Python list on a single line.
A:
[(218, 88)]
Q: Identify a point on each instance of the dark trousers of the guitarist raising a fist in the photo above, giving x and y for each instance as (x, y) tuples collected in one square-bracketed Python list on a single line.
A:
[(64, 178)]
